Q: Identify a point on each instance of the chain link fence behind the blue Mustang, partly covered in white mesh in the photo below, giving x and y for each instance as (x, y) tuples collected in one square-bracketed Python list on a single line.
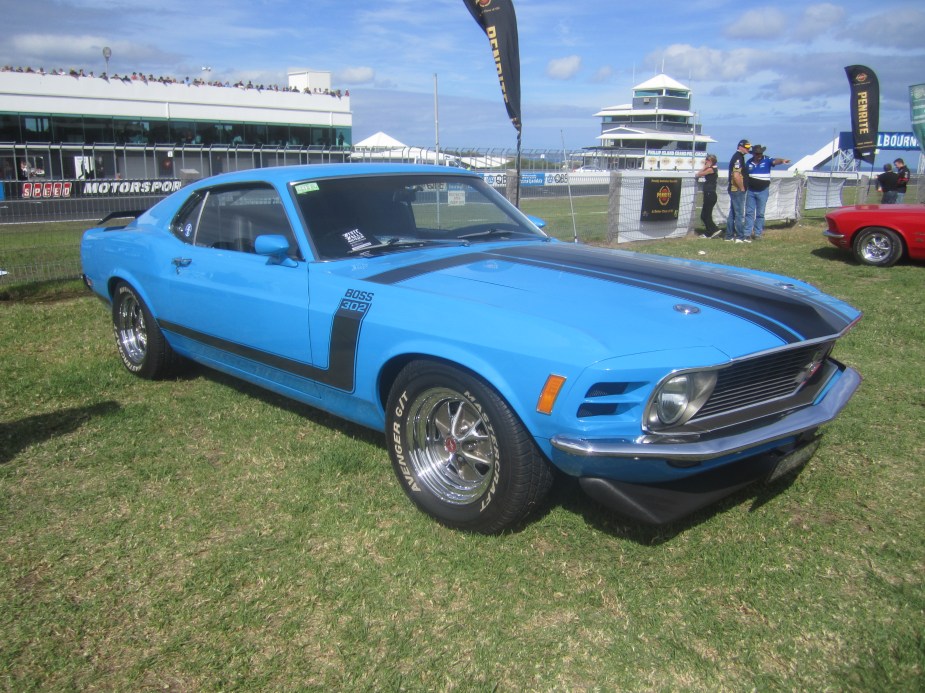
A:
[(42, 217)]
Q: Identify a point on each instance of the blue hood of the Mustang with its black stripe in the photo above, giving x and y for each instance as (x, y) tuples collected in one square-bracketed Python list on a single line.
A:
[(625, 302)]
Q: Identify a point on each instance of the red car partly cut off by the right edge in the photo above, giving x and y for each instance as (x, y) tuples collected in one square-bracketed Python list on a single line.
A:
[(879, 235)]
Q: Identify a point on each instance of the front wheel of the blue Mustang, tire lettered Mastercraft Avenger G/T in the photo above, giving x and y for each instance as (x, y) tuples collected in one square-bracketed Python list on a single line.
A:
[(460, 453)]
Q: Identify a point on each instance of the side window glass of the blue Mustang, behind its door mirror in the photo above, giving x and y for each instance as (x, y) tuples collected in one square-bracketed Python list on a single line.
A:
[(231, 218)]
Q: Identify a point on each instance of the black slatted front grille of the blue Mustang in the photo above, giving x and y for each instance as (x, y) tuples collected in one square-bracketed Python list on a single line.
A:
[(760, 380)]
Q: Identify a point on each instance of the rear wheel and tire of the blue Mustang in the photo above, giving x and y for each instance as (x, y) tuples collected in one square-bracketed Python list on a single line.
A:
[(140, 342)]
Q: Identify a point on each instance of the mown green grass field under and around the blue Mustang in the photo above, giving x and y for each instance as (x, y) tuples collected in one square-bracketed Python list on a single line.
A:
[(199, 534)]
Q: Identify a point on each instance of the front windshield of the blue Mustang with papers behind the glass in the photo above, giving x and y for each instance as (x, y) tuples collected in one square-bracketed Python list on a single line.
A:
[(369, 215)]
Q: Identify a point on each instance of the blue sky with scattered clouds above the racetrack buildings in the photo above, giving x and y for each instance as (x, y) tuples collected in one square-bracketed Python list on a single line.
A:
[(772, 72)]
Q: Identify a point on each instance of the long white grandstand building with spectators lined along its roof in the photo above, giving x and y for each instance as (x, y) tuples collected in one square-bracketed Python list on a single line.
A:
[(71, 125)]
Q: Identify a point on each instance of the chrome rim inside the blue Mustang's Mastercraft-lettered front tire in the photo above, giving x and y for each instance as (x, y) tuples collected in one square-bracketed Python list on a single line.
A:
[(452, 451)]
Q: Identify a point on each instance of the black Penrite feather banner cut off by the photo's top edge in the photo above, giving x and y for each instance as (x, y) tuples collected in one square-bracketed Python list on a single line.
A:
[(498, 21)]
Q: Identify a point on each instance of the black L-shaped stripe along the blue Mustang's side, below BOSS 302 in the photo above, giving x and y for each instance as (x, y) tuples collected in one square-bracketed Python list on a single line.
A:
[(341, 370)]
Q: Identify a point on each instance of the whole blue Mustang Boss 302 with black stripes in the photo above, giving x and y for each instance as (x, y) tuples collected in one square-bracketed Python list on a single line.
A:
[(417, 301)]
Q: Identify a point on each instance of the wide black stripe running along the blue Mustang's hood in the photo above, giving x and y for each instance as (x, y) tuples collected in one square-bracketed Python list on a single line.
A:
[(791, 317)]
